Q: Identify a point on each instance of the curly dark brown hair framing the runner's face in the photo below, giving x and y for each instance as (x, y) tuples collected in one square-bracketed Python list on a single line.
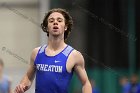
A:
[(68, 21)]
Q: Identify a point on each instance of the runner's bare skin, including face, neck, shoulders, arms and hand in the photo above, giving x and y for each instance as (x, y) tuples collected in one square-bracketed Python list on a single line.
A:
[(55, 45)]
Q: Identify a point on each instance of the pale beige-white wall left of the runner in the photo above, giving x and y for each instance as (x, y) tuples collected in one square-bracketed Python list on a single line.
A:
[(19, 35)]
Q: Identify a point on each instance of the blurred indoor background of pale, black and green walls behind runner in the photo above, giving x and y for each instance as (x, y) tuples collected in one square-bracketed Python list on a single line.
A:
[(106, 32)]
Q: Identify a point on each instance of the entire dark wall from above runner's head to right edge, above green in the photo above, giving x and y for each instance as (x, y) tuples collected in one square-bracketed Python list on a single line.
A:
[(101, 30)]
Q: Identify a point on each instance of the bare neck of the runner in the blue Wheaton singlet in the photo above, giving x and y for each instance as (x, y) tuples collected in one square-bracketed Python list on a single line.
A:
[(55, 43)]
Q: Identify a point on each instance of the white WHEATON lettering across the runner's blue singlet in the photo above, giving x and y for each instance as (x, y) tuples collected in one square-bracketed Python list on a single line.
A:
[(49, 68)]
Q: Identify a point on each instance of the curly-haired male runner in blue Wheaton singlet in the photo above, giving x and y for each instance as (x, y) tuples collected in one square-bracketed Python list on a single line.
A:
[(53, 64)]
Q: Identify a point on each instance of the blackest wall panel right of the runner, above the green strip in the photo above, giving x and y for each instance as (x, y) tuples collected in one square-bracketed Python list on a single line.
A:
[(106, 37)]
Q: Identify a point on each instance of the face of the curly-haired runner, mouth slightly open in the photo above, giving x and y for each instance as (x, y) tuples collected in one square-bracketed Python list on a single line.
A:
[(56, 24)]
